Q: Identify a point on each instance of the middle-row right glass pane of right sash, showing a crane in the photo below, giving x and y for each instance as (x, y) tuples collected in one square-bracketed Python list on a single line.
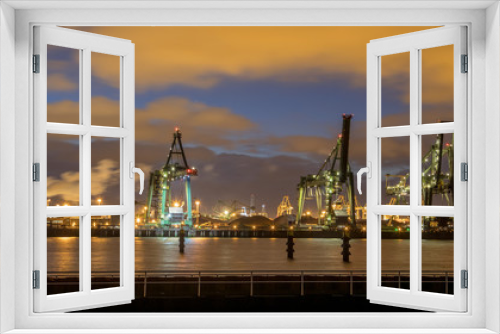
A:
[(437, 169)]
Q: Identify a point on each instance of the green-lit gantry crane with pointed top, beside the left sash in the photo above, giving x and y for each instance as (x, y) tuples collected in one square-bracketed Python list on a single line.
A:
[(176, 169)]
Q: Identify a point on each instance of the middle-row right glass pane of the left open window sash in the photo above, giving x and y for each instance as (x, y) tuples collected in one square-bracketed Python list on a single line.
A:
[(105, 171)]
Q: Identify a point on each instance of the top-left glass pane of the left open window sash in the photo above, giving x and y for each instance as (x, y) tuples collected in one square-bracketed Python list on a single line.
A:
[(63, 85)]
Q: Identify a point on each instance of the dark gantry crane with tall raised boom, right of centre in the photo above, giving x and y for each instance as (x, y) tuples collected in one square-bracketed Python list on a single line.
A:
[(334, 175)]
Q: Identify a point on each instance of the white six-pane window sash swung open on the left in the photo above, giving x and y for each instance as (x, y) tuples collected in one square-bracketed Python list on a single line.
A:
[(85, 43)]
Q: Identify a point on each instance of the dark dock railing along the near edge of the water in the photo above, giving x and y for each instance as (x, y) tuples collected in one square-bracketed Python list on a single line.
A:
[(198, 283)]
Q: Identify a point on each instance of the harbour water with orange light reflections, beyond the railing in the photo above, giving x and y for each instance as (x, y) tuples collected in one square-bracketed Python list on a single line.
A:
[(243, 254)]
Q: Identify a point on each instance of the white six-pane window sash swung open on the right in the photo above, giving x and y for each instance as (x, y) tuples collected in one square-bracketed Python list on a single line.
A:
[(414, 43)]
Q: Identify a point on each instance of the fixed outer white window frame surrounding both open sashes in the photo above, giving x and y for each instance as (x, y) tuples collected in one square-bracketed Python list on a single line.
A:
[(481, 17)]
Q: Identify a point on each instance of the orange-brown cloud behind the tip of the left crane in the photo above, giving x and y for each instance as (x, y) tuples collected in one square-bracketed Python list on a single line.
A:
[(203, 124)]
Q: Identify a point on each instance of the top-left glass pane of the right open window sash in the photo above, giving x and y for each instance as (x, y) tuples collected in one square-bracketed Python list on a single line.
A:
[(395, 90)]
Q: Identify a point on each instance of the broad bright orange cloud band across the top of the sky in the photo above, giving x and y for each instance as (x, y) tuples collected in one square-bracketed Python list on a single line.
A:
[(203, 56)]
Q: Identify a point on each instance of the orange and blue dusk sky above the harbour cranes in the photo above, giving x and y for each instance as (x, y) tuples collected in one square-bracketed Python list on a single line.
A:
[(257, 106)]
